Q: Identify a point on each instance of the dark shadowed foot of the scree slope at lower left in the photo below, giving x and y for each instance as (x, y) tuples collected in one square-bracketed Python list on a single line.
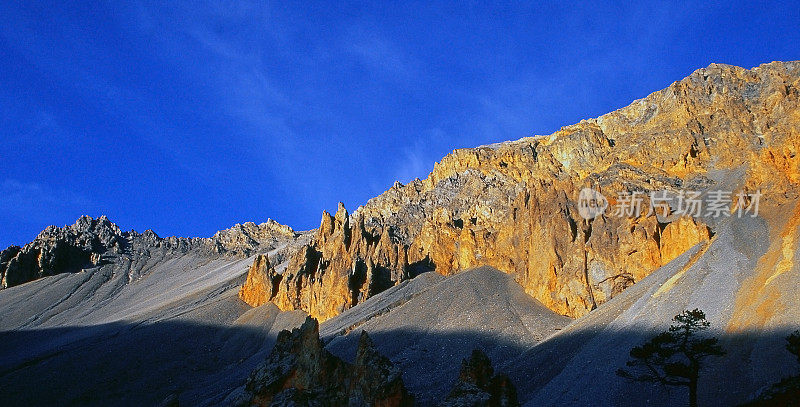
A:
[(132, 364)]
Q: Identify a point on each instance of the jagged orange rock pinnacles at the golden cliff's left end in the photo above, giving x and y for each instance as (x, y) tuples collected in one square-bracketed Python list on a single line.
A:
[(343, 264)]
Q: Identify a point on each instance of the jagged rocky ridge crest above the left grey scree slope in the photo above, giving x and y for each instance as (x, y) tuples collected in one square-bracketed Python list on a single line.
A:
[(91, 242)]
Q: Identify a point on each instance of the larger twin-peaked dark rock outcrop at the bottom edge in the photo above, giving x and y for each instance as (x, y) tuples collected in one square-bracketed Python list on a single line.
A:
[(300, 371)]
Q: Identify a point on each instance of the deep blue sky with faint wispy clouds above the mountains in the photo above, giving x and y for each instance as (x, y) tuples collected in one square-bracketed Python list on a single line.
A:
[(189, 117)]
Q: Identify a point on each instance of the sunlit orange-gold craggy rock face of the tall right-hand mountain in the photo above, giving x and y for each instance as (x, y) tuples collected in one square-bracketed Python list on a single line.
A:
[(513, 205)]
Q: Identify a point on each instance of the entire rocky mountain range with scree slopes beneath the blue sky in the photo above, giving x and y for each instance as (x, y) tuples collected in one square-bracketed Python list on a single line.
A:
[(530, 252)]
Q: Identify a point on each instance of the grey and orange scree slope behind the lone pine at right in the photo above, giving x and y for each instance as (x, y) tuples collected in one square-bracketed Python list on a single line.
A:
[(577, 366)]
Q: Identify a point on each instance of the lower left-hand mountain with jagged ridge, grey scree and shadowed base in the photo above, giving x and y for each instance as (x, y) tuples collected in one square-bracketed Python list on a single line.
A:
[(134, 317)]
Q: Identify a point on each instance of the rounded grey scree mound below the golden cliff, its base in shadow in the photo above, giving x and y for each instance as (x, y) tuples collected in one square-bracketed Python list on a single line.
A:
[(428, 325)]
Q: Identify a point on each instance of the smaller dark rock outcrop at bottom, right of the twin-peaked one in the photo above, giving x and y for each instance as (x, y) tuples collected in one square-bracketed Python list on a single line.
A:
[(478, 386)]
